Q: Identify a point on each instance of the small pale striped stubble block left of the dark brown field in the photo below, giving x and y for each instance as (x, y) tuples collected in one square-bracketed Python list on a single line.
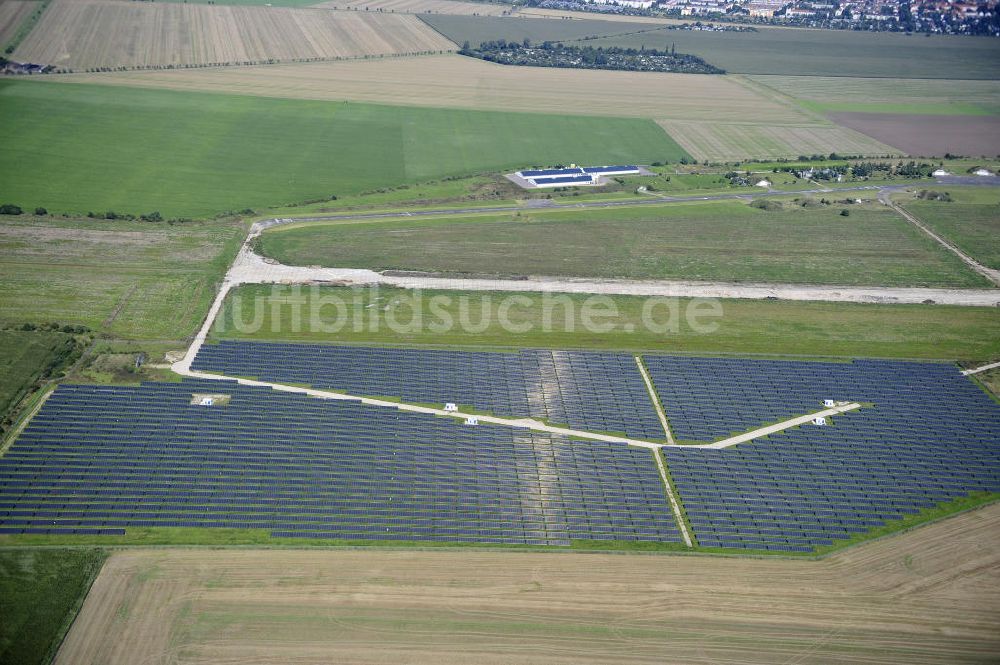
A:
[(715, 141)]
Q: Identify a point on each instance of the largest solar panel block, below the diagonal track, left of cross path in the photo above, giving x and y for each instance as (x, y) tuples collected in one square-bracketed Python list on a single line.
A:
[(100, 459)]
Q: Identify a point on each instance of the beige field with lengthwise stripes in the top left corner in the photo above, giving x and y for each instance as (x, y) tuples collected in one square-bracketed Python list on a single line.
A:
[(86, 34)]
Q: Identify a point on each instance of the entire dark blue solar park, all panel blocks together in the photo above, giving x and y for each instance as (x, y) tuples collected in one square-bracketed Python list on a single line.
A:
[(100, 460)]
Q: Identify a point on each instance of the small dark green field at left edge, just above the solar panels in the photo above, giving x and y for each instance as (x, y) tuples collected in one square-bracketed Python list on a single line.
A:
[(25, 358)]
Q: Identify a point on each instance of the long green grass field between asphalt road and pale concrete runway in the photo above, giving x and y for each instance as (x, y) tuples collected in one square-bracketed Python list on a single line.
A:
[(709, 241)]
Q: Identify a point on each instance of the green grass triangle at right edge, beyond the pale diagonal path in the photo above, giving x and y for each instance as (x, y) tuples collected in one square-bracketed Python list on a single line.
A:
[(971, 221)]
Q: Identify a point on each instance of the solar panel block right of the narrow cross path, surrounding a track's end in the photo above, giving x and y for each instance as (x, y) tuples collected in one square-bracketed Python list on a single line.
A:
[(931, 436)]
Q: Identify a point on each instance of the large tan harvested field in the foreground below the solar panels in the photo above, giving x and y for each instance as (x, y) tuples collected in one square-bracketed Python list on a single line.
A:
[(930, 596)]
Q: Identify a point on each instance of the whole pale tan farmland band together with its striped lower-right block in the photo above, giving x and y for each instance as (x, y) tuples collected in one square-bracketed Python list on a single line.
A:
[(754, 123)]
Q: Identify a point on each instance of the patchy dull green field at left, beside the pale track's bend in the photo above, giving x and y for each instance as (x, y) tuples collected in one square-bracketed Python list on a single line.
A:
[(130, 279)]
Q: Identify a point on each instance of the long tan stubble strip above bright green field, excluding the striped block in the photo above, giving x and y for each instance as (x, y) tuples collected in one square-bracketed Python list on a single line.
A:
[(457, 82)]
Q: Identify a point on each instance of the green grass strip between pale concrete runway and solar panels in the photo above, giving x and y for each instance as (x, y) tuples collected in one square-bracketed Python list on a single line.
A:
[(745, 327)]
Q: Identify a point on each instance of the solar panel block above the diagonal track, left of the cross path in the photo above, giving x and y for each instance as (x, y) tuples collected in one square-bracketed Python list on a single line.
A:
[(592, 391)]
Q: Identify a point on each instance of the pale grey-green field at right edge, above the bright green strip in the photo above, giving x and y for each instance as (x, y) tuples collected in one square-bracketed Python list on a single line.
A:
[(879, 95)]
